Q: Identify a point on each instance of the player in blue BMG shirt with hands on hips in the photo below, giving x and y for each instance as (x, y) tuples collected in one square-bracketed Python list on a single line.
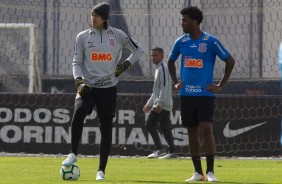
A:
[(198, 51)]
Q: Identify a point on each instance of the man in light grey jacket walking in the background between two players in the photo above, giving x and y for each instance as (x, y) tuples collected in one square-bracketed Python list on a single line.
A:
[(159, 105)]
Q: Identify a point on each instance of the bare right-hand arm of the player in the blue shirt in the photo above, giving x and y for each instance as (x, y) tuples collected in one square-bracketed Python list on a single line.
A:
[(229, 65)]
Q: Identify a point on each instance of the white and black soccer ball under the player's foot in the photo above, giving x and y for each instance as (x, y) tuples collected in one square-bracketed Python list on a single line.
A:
[(70, 173)]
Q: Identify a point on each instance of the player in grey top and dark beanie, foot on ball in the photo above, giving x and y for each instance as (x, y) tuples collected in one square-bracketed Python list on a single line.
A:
[(95, 70)]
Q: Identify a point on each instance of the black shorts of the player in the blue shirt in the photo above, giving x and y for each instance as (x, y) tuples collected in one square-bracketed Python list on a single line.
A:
[(195, 109)]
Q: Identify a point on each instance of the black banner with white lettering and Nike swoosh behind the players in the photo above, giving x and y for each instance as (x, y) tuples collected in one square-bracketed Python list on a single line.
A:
[(41, 123)]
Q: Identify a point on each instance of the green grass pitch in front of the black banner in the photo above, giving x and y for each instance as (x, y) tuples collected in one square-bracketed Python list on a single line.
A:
[(41, 170)]
